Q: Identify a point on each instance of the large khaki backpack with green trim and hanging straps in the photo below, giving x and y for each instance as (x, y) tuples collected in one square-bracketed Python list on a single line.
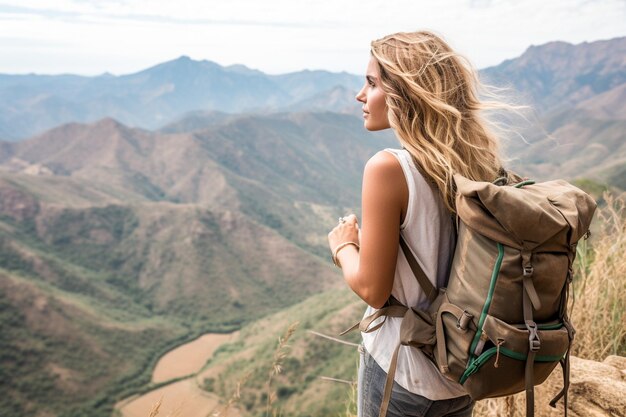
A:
[(501, 325)]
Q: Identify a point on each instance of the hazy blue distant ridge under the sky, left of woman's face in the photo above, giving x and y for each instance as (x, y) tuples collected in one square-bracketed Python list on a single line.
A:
[(153, 97)]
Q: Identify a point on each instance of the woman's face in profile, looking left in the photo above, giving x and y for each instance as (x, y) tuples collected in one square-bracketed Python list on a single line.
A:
[(373, 98)]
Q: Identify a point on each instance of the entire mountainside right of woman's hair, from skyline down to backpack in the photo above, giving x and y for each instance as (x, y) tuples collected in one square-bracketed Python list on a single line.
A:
[(578, 93)]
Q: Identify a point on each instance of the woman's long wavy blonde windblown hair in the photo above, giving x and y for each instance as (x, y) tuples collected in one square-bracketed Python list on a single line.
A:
[(434, 108)]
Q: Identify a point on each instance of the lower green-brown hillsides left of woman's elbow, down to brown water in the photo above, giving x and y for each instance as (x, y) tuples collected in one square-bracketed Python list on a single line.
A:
[(85, 288)]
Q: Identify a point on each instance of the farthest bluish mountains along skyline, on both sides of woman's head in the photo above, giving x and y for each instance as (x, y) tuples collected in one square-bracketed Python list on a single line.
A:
[(551, 76)]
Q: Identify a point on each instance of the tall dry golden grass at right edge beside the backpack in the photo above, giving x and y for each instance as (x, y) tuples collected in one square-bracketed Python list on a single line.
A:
[(598, 307)]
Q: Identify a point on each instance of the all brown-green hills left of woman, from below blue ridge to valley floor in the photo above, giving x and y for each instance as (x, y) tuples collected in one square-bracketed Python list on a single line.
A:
[(117, 244)]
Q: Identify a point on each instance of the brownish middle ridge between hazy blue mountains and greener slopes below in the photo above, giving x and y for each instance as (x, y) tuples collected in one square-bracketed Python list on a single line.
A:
[(184, 166)]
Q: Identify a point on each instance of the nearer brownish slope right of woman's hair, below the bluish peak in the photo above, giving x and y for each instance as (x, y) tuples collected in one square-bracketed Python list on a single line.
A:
[(585, 141)]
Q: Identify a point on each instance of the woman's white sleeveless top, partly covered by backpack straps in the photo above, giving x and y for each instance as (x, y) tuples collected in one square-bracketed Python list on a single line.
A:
[(429, 232)]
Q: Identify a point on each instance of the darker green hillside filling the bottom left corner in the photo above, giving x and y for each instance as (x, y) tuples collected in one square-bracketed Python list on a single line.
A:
[(61, 351)]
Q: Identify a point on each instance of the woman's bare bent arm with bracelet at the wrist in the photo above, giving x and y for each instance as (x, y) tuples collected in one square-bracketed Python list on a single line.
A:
[(370, 271)]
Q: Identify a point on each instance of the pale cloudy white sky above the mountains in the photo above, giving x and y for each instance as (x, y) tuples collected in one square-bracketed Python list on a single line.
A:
[(90, 37)]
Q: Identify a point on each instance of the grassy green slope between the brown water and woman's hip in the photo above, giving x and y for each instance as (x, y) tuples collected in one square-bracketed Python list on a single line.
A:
[(300, 388)]
